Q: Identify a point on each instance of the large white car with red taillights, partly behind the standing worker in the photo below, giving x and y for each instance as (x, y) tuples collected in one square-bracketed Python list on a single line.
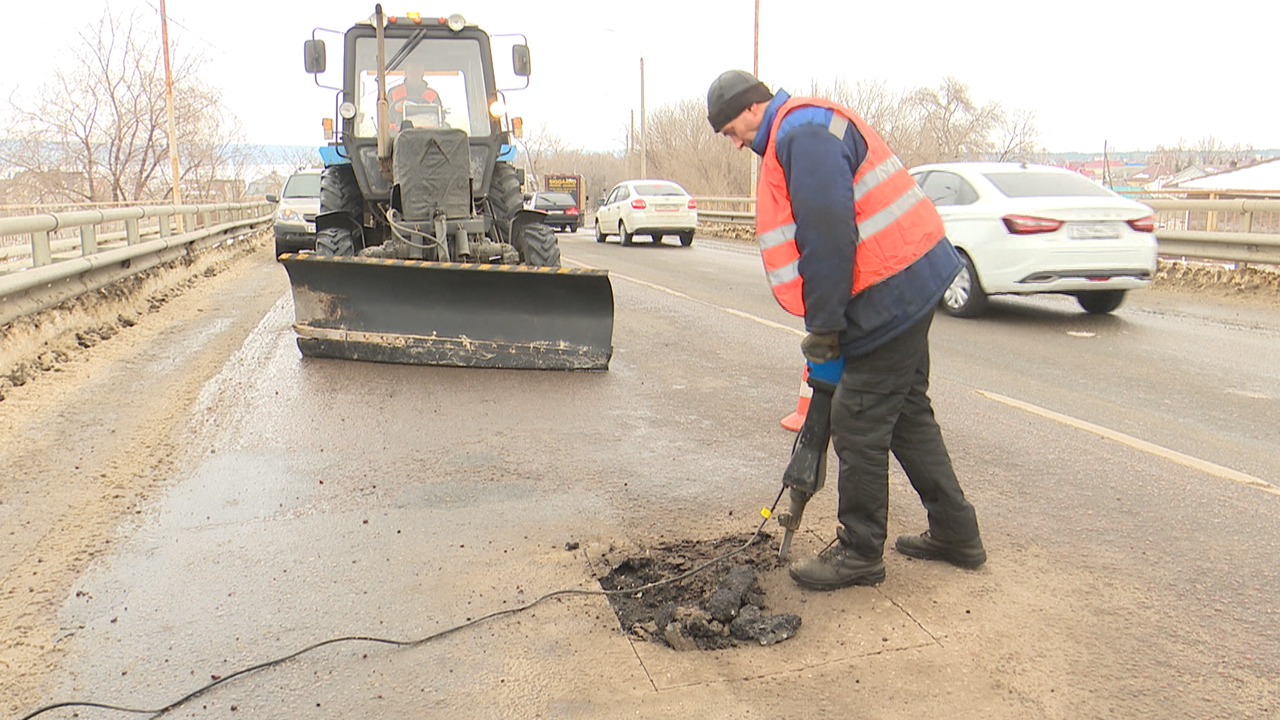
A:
[(1028, 230)]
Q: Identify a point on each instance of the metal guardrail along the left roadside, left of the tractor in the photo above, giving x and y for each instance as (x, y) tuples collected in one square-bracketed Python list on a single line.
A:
[(51, 258)]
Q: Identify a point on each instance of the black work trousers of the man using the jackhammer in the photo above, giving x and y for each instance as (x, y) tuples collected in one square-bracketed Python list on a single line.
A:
[(883, 407)]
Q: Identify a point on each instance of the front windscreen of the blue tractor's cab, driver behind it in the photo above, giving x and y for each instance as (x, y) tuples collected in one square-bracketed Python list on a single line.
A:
[(437, 84)]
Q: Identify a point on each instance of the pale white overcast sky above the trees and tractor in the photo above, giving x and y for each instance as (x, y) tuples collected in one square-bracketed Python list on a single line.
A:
[(1133, 74)]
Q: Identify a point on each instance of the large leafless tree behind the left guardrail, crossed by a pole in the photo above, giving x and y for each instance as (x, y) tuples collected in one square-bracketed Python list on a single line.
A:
[(99, 131)]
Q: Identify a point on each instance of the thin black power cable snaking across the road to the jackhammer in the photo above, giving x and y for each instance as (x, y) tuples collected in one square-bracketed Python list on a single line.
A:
[(194, 695)]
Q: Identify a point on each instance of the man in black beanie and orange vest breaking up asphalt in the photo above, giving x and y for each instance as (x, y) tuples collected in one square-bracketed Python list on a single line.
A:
[(852, 244)]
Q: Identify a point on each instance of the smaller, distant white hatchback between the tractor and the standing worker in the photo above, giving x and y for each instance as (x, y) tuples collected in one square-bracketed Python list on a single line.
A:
[(652, 208)]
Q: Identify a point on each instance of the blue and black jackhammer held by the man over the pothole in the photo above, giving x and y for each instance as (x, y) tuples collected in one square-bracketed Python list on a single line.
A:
[(807, 471)]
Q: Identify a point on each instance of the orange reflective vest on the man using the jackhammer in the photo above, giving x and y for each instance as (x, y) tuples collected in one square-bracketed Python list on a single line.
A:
[(897, 224)]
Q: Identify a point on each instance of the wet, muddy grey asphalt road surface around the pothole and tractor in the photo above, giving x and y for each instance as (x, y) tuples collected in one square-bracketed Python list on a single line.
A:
[(194, 498)]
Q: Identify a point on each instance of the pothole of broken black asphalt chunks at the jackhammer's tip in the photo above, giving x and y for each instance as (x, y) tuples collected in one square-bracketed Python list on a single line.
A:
[(719, 608)]
